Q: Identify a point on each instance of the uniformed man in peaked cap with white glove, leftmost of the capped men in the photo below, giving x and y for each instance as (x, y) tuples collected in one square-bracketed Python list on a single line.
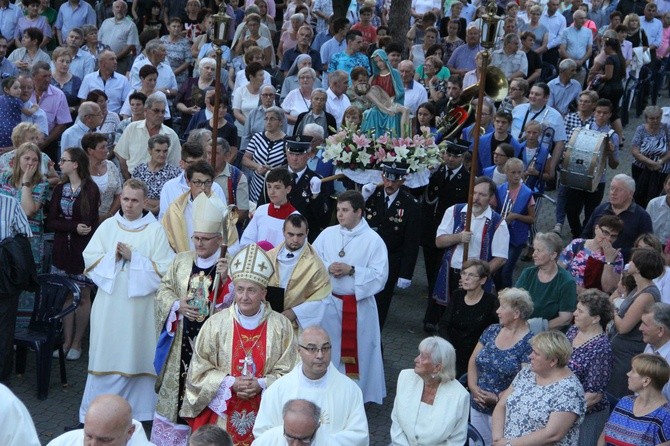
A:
[(306, 195)]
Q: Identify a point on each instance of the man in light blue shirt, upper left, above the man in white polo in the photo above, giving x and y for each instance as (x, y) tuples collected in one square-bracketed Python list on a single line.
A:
[(115, 85)]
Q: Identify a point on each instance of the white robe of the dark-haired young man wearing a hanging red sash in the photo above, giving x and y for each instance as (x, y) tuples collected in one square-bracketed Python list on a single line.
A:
[(365, 250)]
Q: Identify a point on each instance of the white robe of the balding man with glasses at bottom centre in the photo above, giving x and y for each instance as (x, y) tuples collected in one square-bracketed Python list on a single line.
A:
[(343, 419)]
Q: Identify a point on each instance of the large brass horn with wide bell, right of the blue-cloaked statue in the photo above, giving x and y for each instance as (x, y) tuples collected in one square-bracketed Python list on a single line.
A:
[(496, 88)]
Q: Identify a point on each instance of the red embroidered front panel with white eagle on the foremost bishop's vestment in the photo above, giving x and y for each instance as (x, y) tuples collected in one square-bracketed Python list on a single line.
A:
[(241, 414)]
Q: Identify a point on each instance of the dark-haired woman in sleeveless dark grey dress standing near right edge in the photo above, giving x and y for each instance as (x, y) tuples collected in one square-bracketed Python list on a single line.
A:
[(645, 265)]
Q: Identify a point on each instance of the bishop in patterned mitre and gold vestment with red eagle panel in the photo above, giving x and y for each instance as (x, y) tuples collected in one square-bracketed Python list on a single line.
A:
[(239, 353)]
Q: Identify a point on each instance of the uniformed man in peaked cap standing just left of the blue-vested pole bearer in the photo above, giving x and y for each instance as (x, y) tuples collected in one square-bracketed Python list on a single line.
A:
[(448, 185)]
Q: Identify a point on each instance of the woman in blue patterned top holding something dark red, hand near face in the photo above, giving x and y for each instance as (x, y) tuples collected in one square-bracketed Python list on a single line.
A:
[(594, 263)]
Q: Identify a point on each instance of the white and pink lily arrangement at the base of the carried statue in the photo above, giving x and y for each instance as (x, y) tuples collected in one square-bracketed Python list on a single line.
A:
[(350, 149)]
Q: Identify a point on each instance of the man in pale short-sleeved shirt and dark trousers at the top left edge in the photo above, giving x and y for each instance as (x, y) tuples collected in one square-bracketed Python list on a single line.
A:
[(120, 34)]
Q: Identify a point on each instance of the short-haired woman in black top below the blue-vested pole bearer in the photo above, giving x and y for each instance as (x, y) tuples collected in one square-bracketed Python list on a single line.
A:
[(469, 312)]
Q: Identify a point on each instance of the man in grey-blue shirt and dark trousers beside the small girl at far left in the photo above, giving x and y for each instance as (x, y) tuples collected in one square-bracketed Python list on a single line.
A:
[(52, 100)]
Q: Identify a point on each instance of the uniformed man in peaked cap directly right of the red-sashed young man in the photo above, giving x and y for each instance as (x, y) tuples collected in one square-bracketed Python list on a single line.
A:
[(394, 214)]
